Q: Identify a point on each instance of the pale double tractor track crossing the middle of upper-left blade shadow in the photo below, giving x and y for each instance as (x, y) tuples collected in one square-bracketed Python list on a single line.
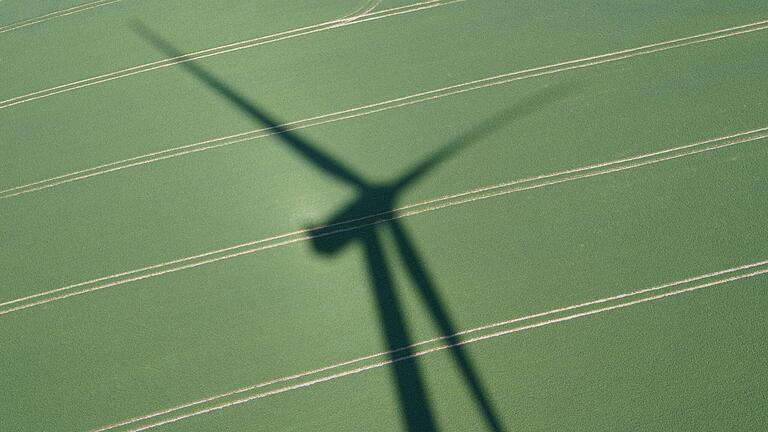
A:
[(379, 107)]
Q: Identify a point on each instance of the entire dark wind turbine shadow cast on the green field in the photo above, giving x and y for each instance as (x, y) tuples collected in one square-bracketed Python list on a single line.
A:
[(376, 204)]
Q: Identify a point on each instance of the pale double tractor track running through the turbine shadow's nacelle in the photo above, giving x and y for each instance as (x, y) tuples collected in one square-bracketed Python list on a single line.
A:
[(247, 248)]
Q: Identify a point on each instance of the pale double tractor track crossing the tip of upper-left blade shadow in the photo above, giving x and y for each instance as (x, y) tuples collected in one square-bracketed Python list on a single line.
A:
[(223, 49)]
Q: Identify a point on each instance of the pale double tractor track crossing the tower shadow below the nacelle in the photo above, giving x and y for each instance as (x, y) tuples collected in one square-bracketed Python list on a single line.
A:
[(659, 292)]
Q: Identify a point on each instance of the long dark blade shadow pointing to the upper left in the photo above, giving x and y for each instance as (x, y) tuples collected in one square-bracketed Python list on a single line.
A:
[(310, 152)]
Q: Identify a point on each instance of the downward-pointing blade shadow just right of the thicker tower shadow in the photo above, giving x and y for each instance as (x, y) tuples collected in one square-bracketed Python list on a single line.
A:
[(430, 296)]
